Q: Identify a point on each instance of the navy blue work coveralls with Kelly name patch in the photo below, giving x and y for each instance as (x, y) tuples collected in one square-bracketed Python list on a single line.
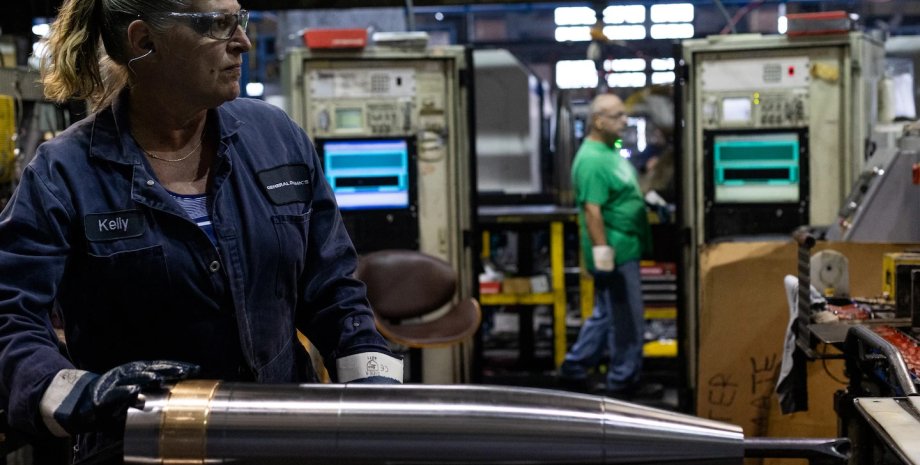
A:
[(92, 234)]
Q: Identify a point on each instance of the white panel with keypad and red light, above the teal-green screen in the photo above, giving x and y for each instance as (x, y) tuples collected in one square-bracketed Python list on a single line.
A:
[(755, 73)]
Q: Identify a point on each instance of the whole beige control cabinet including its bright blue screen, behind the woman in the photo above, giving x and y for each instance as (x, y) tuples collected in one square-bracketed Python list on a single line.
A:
[(390, 128)]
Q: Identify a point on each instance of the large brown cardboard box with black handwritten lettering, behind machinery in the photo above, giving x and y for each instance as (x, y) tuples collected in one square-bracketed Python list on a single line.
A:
[(742, 322)]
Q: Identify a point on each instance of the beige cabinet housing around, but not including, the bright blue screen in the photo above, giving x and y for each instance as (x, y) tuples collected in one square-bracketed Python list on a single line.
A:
[(417, 95)]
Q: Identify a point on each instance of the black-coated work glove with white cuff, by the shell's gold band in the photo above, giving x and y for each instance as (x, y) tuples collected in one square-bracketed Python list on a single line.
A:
[(79, 401)]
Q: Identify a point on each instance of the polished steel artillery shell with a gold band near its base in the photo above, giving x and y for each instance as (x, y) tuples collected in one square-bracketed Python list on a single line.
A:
[(243, 423)]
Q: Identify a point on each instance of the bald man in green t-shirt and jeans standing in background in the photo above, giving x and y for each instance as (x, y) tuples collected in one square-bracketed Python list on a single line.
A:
[(614, 234)]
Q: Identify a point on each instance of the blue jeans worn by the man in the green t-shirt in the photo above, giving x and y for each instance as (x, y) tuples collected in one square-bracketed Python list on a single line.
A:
[(618, 322)]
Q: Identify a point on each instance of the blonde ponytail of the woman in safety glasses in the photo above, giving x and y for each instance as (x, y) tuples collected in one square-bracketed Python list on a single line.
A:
[(71, 68)]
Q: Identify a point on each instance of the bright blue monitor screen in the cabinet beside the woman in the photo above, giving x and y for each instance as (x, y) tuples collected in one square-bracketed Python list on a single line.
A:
[(367, 174)]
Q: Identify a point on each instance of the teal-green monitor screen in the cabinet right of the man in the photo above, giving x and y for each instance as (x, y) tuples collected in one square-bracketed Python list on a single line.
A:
[(756, 167)]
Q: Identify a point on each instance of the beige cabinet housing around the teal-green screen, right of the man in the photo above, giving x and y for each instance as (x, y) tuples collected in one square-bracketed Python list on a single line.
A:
[(824, 88)]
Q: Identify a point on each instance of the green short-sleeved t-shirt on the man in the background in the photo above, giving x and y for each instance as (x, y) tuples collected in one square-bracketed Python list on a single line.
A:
[(602, 177)]
